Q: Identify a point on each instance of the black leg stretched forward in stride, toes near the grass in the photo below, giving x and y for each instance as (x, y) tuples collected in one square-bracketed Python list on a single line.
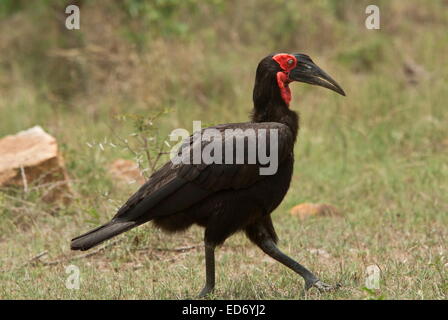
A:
[(262, 236)]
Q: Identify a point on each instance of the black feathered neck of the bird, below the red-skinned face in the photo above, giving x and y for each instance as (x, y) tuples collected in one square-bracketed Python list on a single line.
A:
[(269, 106)]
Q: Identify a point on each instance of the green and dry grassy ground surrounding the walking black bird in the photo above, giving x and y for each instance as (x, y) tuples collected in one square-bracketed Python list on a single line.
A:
[(379, 155)]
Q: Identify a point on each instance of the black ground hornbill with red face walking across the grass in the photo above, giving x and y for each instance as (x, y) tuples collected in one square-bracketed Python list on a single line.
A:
[(225, 198)]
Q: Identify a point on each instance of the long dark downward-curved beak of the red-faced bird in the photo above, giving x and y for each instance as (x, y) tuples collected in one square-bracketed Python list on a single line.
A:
[(308, 72)]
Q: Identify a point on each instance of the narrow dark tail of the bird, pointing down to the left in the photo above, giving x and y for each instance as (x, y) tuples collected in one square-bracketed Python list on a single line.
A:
[(100, 234)]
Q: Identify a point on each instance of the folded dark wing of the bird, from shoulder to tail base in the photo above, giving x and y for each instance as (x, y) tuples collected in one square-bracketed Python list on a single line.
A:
[(177, 186)]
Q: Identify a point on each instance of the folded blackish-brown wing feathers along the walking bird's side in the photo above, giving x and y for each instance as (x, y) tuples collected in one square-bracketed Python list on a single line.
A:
[(176, 187)]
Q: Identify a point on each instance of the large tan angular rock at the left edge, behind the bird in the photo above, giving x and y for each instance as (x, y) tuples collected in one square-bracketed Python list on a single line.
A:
[(30, 158)]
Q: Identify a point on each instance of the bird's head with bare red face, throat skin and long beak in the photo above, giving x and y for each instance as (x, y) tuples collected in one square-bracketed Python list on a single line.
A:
[(296, 67)]
